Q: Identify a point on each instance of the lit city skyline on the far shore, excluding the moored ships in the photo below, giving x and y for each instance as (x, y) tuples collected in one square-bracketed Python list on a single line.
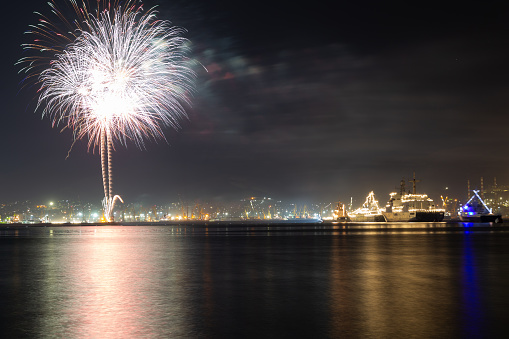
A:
[(494, 197)]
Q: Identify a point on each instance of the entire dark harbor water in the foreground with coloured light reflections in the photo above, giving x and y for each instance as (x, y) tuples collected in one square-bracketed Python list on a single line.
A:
[(256, 282)]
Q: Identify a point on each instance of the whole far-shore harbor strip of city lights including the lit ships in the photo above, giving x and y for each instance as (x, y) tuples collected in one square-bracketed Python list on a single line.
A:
[(407, 203)]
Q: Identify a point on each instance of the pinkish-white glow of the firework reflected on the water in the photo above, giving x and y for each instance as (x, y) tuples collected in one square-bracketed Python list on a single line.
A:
[(106, 287)]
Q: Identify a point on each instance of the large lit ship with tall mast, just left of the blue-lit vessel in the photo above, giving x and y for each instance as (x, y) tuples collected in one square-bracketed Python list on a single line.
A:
[(411, 207)]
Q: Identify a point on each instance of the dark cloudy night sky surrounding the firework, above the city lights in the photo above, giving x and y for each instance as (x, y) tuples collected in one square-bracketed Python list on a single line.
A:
[(311, 101)]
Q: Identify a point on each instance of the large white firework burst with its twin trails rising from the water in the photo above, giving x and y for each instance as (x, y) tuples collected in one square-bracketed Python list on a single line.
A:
[(112, 76)]
